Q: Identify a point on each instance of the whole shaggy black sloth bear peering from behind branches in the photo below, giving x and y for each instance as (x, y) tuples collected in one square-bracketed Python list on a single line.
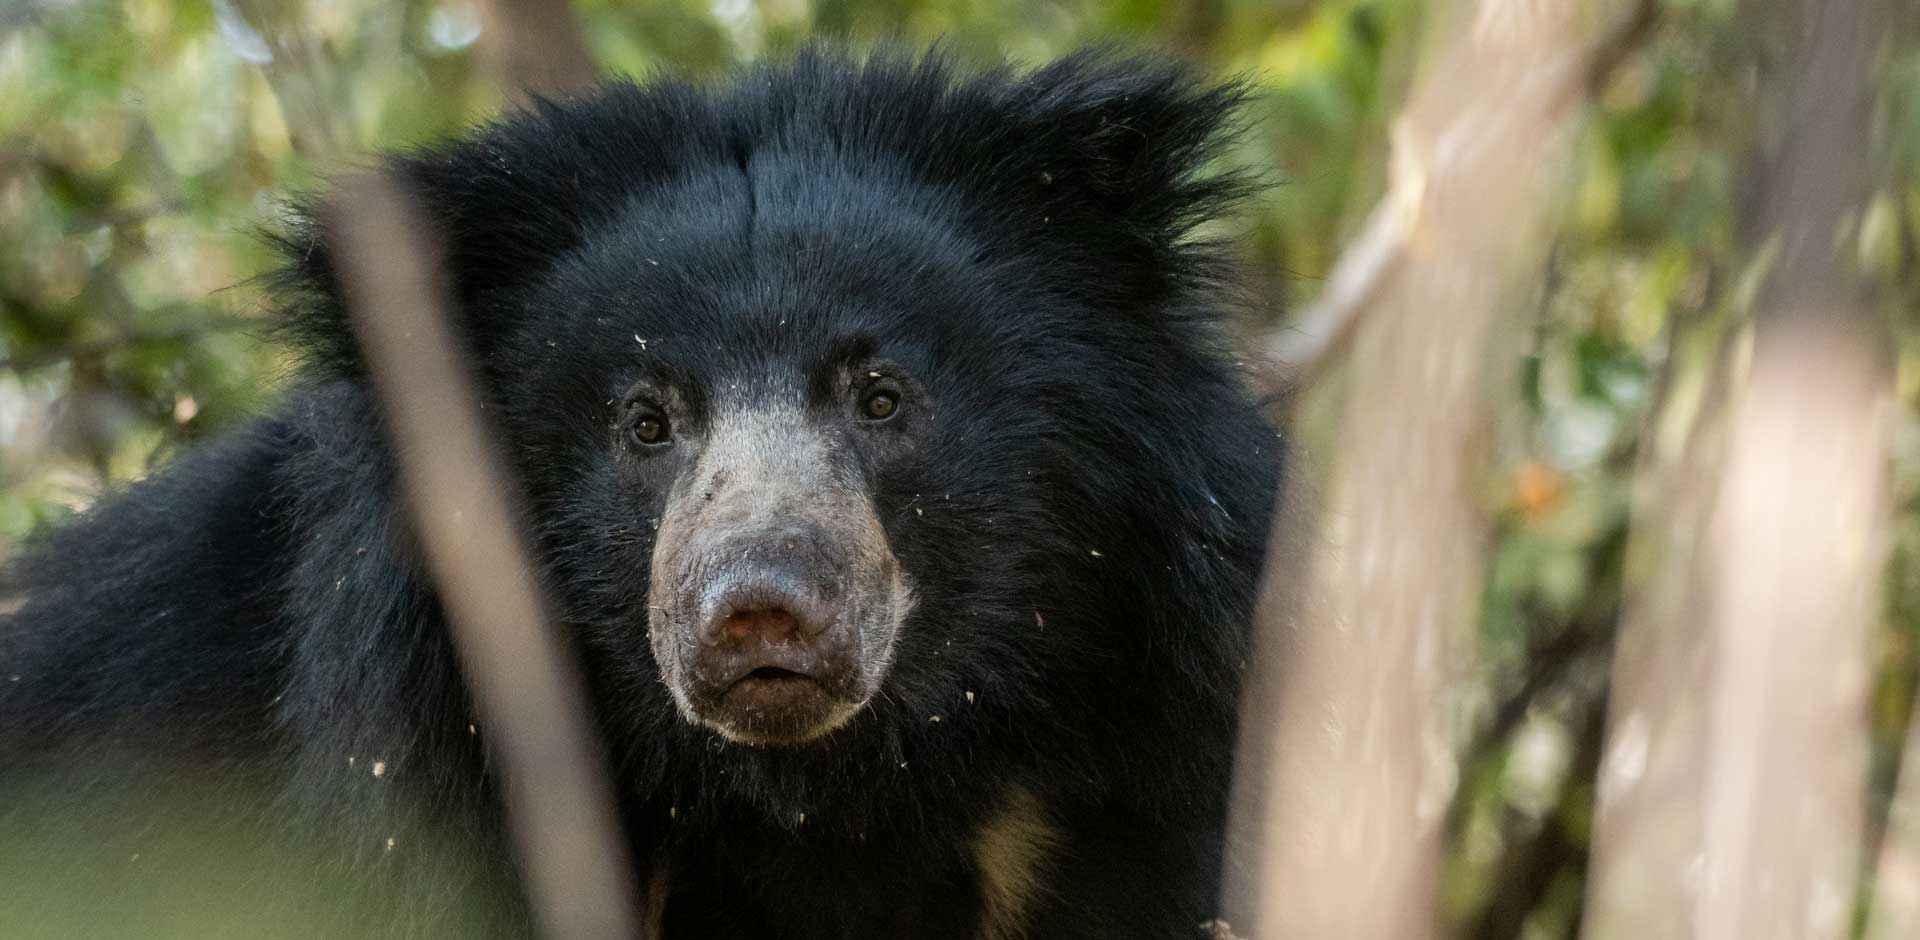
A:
[(886, 461)]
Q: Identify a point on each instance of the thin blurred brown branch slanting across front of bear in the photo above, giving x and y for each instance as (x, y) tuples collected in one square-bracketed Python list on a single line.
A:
[(527, 688)]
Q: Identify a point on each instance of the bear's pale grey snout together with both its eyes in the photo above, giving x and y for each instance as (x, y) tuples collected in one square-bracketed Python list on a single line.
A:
[(775, 592)]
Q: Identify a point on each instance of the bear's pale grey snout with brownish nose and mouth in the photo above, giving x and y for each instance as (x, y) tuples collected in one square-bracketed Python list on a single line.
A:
[(777, 598)]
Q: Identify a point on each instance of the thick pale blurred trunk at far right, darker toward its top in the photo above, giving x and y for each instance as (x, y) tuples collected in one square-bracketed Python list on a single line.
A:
[(1735, 778)]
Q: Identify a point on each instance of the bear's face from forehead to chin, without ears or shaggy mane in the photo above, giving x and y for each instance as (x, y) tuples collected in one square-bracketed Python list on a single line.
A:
[(771, 373)]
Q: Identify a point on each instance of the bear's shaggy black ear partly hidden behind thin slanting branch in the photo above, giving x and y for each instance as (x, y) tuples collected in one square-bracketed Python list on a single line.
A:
[(502, 204)]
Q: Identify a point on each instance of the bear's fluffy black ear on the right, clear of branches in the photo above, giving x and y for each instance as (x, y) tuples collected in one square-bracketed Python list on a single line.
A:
[(1124, 151)]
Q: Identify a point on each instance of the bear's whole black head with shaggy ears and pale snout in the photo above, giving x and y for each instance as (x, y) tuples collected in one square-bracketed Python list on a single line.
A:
[(863, 402)]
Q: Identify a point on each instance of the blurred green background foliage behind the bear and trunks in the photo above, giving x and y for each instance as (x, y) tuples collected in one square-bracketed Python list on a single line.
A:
[(145, 141)]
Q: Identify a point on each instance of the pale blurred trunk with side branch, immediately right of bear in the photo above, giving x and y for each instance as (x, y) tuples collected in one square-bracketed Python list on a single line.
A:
[(1347, 755)]
